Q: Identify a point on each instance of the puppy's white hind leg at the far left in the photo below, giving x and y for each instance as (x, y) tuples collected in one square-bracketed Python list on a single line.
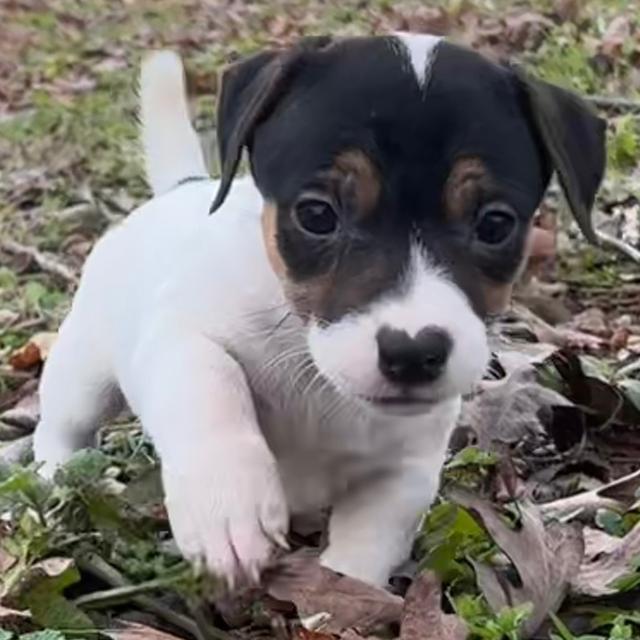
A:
[(77, 393)]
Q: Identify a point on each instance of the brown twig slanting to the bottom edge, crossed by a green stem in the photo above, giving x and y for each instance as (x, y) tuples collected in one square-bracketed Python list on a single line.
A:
[(96, 566)]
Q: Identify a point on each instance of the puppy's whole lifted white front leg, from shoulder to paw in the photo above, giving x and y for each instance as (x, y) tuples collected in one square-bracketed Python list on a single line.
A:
[(223, 492)]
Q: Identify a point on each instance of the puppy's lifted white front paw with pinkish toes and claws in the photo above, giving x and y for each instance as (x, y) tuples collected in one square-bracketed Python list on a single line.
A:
[(227, 519)]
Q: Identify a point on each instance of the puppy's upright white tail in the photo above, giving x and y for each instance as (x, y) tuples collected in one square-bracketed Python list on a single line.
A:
[(171, 146)]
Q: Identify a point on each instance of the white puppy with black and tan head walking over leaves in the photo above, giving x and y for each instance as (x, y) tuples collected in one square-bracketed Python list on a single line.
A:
[(301, 338)]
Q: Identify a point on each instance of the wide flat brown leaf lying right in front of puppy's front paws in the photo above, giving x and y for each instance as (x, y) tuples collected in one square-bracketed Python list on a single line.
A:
[(299, 578)]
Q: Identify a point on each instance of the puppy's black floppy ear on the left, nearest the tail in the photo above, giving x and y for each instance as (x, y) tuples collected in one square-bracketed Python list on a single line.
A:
[(249, 91)]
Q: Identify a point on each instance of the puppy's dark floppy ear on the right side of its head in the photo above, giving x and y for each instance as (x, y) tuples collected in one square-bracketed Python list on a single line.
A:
[(574, 139)]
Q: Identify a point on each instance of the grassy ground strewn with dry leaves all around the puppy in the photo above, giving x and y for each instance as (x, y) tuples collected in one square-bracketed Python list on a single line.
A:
[(536, 533)]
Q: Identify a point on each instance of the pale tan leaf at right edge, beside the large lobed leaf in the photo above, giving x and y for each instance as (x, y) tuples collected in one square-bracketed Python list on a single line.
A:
[(607, 558)]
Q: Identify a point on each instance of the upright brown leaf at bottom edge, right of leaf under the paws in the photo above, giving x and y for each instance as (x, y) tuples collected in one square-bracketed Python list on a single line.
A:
[(422, 616)]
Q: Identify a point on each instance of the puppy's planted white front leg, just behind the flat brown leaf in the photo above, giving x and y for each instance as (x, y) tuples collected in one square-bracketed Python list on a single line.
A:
[(372, 527)]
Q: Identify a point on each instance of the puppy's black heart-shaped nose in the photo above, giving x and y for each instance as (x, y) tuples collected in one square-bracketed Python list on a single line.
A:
[(410, 361)]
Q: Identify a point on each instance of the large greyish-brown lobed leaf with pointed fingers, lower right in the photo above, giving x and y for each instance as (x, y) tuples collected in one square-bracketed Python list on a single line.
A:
[(547, 559)]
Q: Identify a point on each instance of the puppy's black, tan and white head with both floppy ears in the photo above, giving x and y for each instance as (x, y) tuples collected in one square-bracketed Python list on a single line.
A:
[(400, 176)]
